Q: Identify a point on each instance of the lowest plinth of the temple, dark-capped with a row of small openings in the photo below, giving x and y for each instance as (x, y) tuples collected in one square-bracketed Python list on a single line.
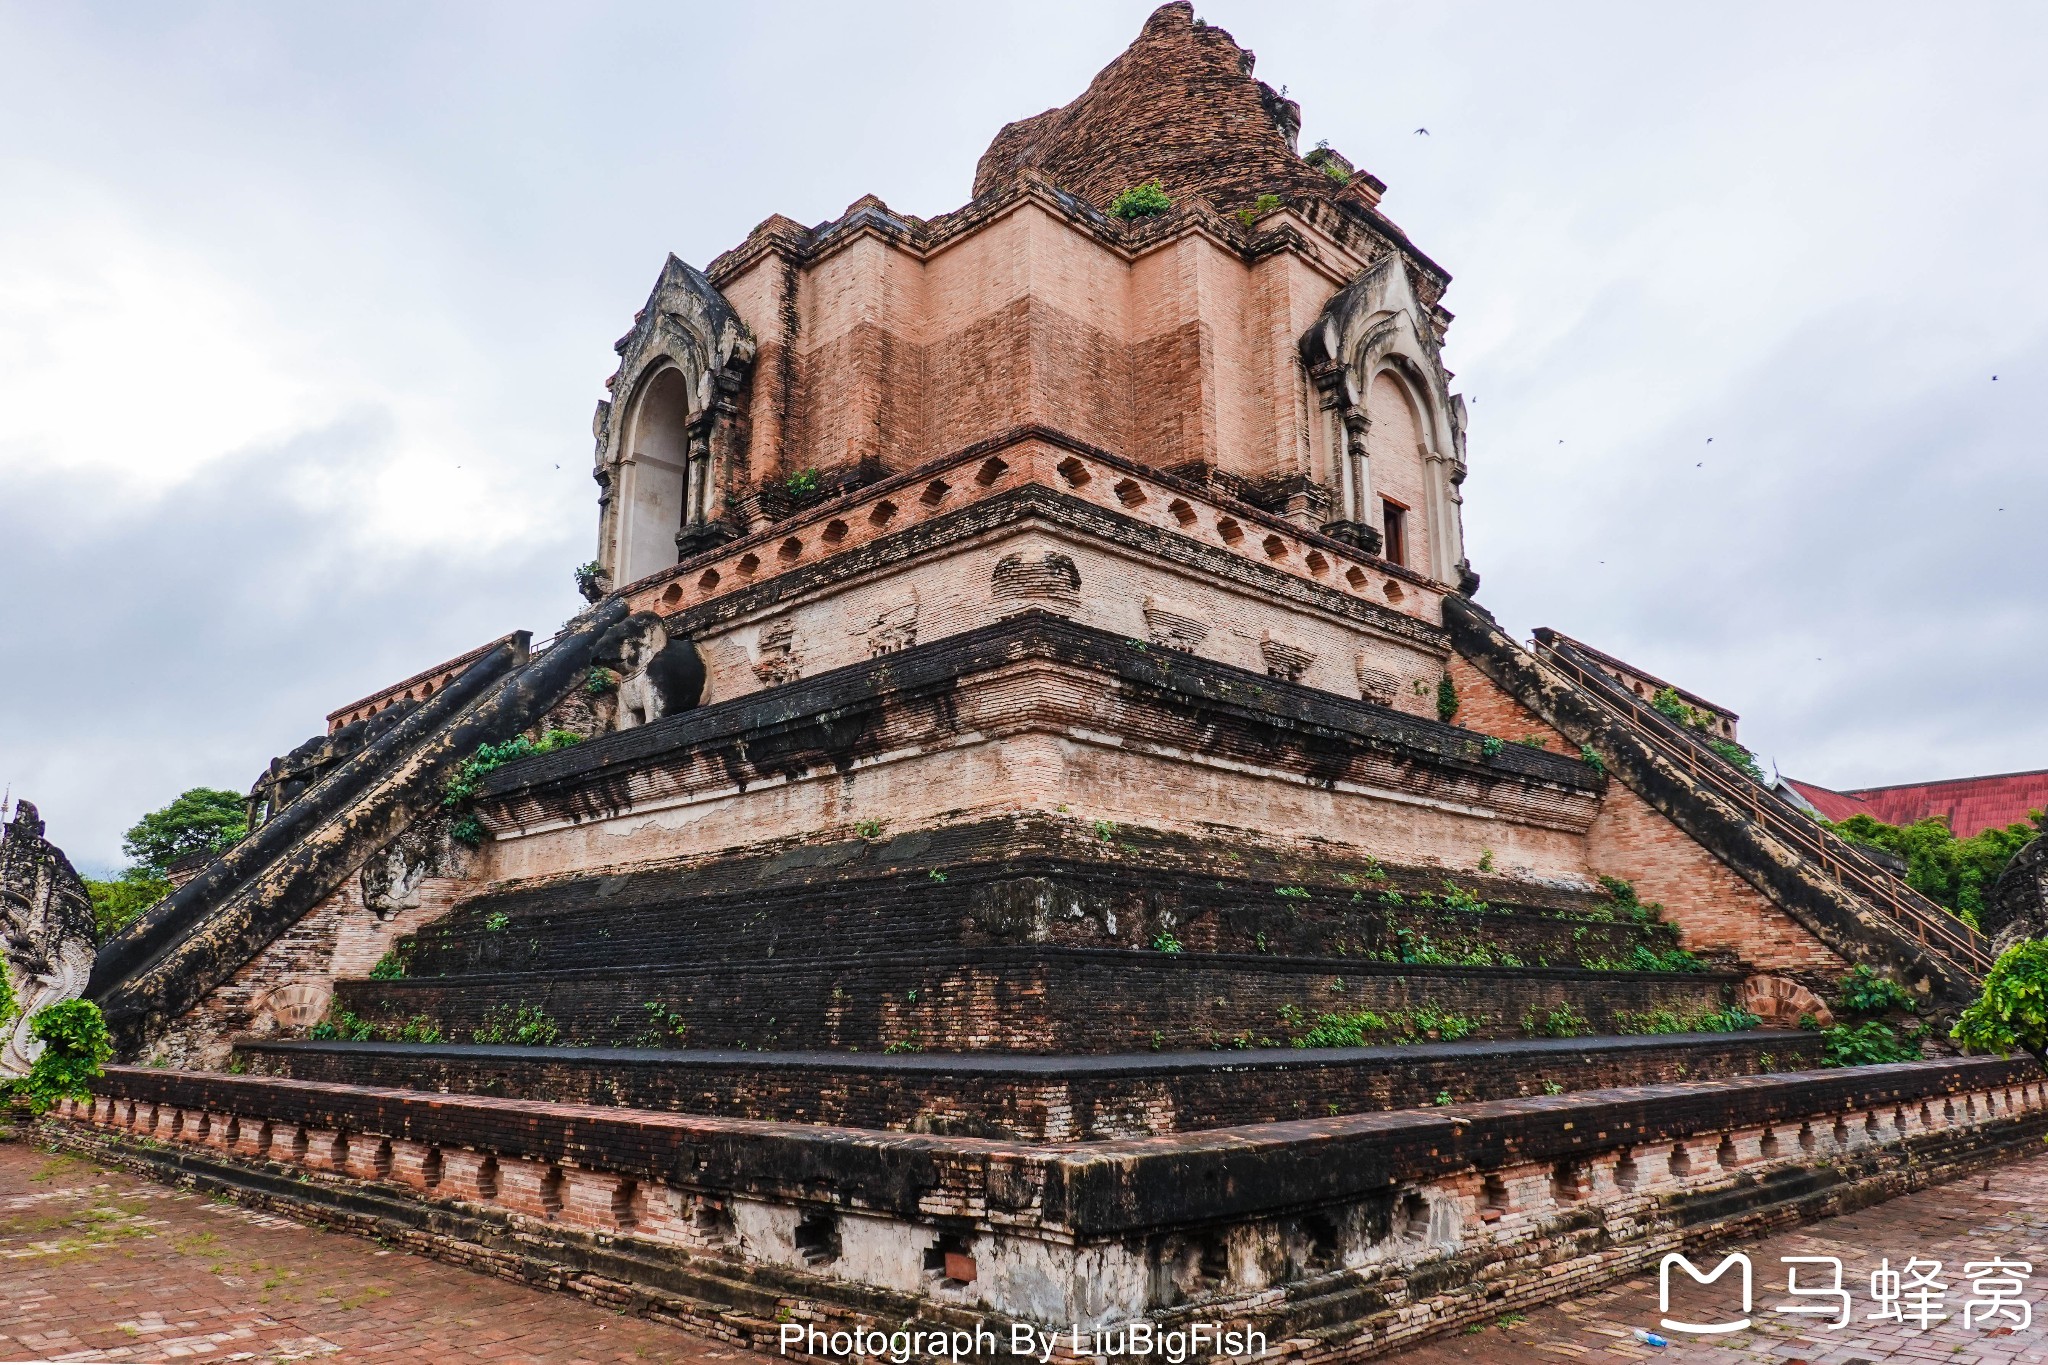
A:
[(1336, 1239)]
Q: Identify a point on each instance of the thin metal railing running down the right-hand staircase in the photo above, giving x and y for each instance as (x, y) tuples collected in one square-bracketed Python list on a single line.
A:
[(1922, 920)]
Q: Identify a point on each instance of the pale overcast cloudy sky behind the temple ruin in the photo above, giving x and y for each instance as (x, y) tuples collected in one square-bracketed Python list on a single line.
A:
[(304, 312)]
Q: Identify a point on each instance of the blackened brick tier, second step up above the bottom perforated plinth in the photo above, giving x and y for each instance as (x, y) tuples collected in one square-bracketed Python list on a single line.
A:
[(1015, 1000)]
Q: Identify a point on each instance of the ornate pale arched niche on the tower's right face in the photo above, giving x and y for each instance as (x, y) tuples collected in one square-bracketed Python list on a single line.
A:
[(1373, 363)]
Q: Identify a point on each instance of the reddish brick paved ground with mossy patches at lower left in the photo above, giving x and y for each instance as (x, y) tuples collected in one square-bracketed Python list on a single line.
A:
[(101, 1266)]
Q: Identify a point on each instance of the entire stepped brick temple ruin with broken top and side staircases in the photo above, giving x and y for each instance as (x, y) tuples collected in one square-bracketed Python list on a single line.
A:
[(1033, 682)]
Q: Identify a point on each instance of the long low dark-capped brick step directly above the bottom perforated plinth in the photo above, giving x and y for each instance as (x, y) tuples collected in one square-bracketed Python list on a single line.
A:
[(1039, 1098)]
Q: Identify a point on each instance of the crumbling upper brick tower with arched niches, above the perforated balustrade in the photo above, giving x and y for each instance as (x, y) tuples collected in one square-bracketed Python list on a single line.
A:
[(1269, 337)]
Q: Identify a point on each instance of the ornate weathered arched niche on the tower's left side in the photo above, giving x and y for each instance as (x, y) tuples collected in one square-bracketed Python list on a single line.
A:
[(677, 429)]
